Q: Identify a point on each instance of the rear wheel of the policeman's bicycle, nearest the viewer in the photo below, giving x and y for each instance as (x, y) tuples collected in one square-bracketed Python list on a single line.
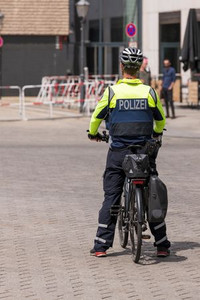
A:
[(136, 215)]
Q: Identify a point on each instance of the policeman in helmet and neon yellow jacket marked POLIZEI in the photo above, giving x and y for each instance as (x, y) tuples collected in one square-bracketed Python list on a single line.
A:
[(135, 115)]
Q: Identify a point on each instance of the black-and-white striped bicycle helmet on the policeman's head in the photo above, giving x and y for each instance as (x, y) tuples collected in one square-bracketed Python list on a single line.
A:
[(131, 57)]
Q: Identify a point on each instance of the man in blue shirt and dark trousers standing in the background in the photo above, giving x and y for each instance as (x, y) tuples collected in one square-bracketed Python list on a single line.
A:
[(169, 77)]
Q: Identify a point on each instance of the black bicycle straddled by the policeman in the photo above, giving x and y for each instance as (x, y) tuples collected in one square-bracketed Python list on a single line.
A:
[(133, 210)]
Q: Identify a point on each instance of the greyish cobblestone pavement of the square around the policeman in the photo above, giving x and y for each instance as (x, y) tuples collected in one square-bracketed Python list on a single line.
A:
[(50, 194)]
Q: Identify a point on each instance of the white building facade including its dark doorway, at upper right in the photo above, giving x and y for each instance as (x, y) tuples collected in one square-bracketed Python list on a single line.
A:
[(164, 25)]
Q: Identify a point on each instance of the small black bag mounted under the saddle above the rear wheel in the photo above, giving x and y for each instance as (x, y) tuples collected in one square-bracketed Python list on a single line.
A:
[(136, 165)]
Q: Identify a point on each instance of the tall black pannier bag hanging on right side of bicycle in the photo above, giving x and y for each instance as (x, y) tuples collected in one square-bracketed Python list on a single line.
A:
[(158, 200)]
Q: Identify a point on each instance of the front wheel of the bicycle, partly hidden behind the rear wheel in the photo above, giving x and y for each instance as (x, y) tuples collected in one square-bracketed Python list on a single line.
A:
[(122, 226)]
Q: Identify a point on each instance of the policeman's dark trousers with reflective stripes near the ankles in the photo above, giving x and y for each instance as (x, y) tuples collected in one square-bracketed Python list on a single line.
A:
[(113, 187)]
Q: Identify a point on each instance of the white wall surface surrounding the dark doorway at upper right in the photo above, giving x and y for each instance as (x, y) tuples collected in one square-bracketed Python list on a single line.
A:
[(151, 10)]
